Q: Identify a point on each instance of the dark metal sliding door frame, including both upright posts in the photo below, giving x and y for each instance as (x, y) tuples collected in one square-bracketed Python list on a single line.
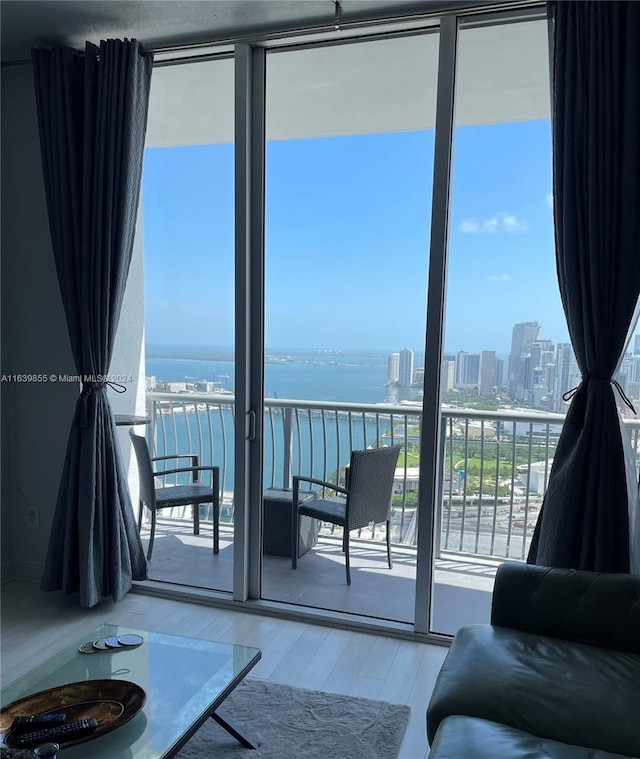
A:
[(249, 242)]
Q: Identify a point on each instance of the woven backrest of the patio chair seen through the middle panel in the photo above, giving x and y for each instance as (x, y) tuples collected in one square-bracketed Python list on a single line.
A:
[(370, 485)]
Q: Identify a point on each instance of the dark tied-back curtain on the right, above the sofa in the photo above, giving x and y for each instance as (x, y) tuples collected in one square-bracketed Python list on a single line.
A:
[(584, 522)]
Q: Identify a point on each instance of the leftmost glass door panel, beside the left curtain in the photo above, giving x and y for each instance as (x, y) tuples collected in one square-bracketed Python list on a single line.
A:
[(188, 244)]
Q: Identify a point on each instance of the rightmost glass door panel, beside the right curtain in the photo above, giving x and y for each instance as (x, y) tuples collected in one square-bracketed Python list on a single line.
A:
[(506, 356)]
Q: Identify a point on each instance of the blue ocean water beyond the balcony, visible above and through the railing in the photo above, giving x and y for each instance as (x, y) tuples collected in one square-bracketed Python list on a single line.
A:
[(296, 375)]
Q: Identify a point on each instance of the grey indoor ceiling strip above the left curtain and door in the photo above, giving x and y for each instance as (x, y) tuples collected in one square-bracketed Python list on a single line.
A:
[(156, 23)]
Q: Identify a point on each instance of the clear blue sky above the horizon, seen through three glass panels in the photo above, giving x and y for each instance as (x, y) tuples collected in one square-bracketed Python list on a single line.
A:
[(347, 241)]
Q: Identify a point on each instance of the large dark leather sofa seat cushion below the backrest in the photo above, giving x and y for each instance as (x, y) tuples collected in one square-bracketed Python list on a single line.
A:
[(568, 692)]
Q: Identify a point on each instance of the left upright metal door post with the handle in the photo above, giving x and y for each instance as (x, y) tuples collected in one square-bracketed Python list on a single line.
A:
[(249, 318)]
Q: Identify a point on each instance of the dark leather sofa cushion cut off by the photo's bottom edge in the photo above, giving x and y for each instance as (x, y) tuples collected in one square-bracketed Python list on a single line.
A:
[(473, 738)]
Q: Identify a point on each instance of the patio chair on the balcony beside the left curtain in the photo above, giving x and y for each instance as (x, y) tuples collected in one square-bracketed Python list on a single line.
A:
[(194, 493)]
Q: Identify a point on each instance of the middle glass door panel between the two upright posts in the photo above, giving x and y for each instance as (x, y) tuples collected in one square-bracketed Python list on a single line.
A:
[(349, 165)]
